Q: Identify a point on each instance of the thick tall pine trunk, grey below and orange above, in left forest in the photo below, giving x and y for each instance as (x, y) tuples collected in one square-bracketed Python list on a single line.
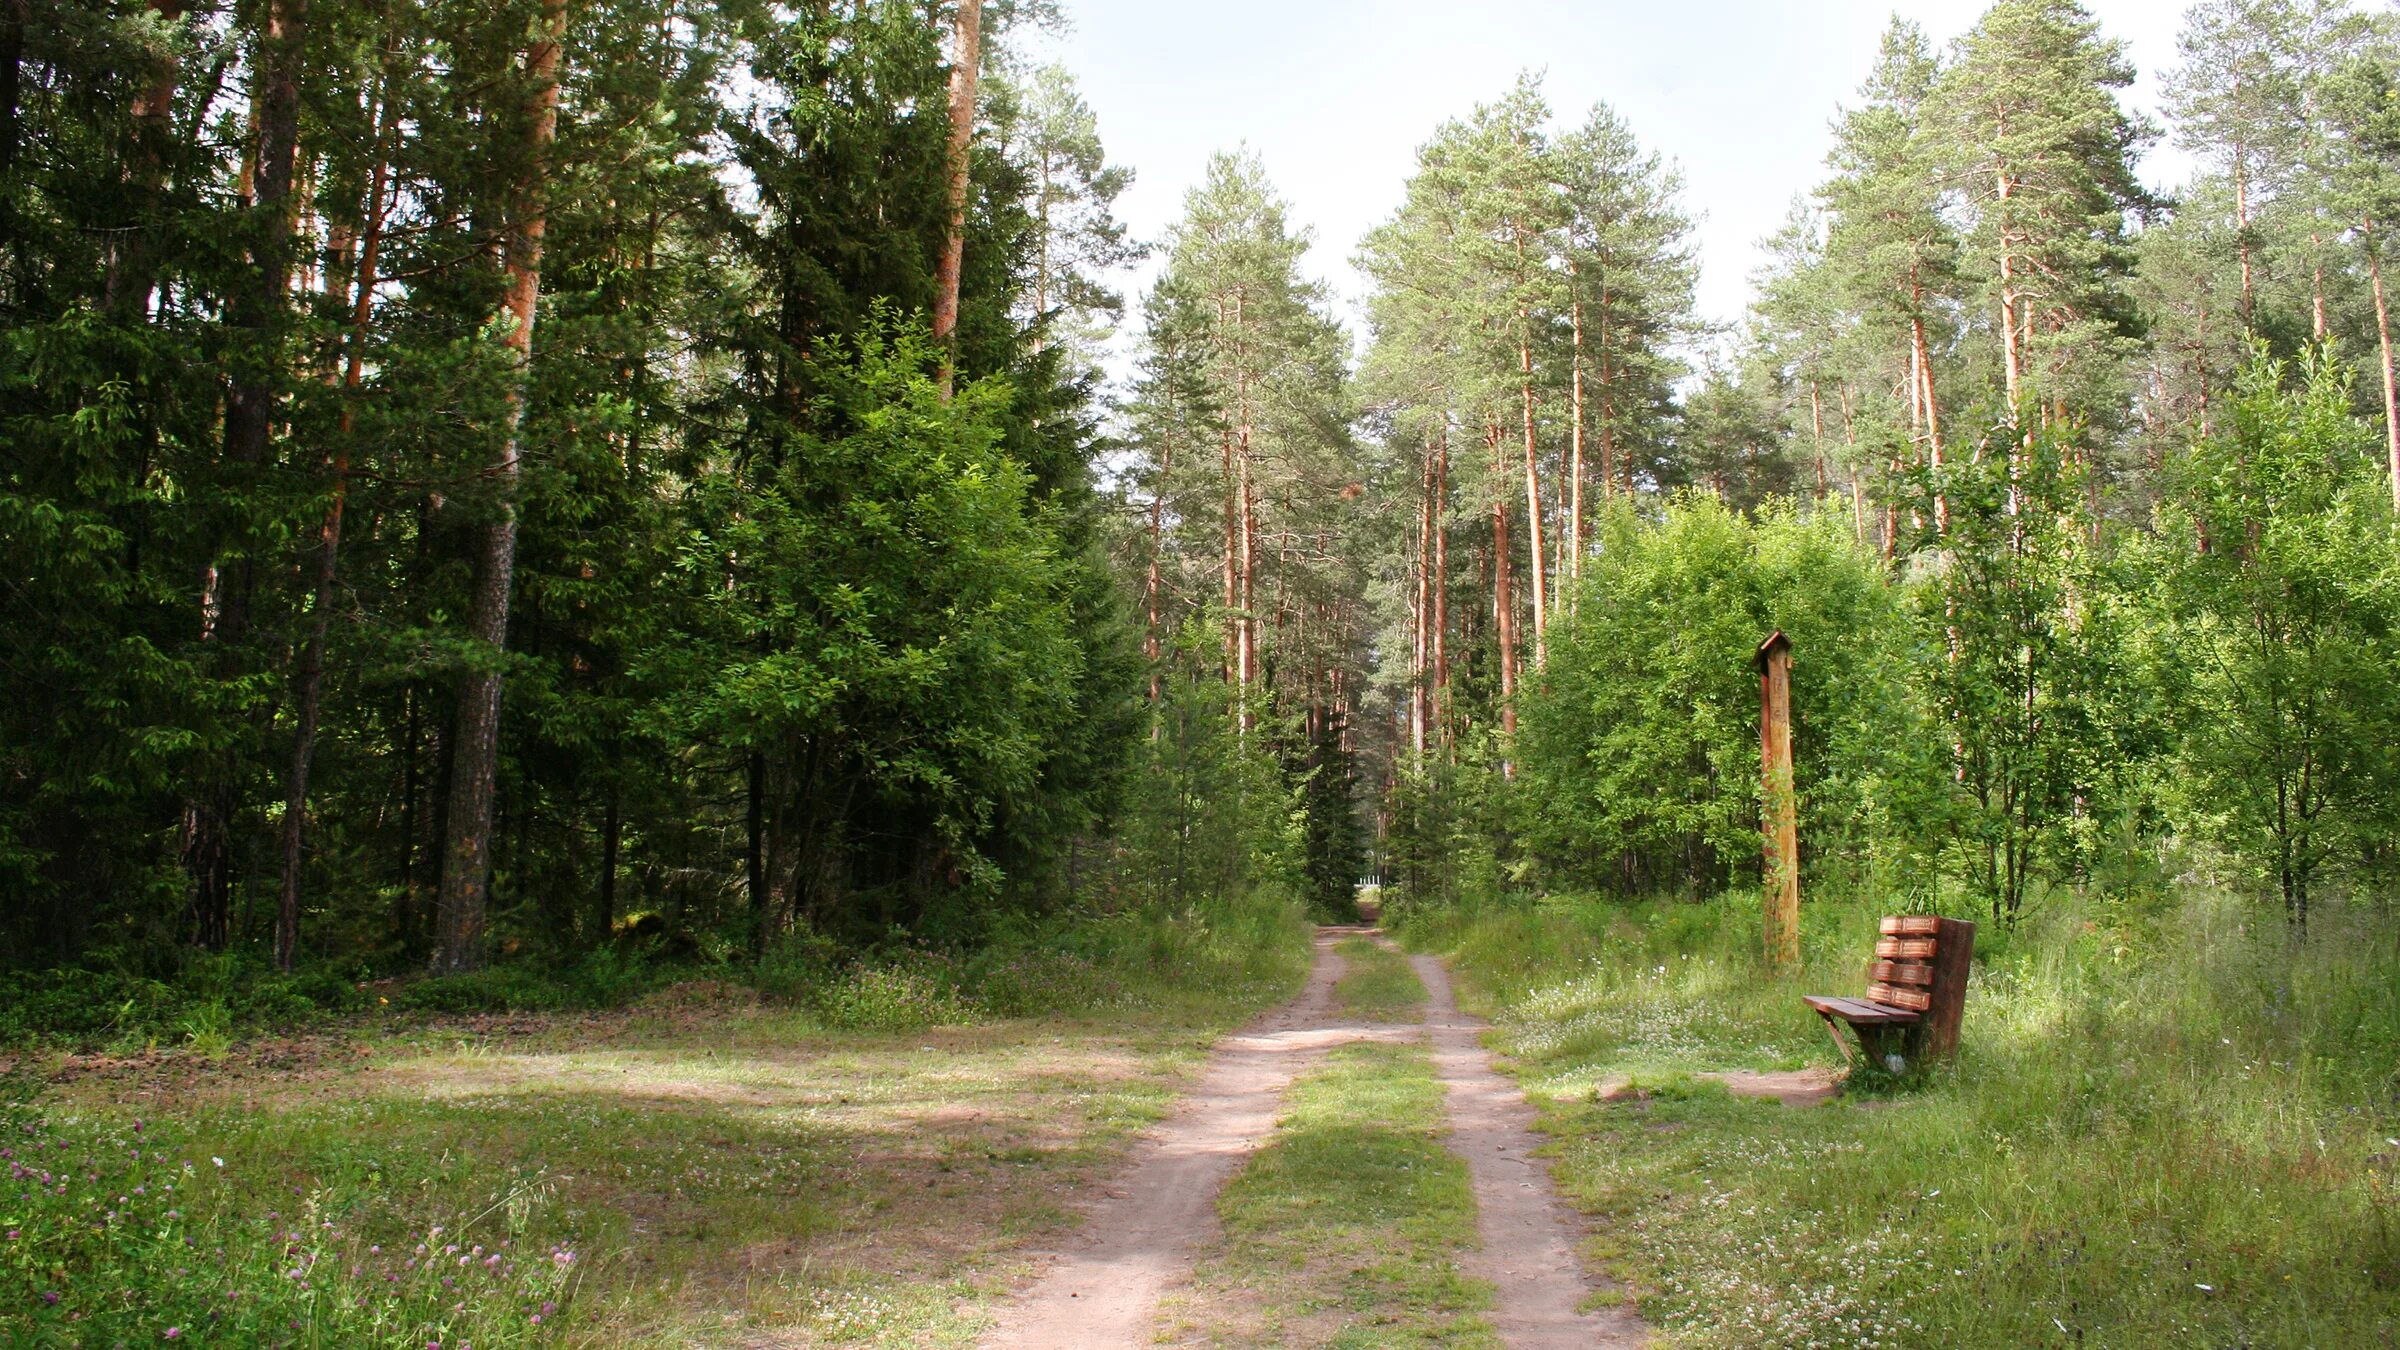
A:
[(467, 873)]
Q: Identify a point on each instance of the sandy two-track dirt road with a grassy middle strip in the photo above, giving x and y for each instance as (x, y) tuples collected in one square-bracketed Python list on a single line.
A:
[(1103, 1289)]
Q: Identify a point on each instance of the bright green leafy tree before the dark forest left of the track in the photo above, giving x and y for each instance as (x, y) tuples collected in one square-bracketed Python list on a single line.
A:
[(887, 631)]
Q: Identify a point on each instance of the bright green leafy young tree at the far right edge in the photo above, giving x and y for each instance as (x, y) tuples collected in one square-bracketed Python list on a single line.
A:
[(2272, 587)]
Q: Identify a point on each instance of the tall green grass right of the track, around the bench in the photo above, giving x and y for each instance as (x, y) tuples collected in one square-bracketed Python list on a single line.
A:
[(2173, 1123)]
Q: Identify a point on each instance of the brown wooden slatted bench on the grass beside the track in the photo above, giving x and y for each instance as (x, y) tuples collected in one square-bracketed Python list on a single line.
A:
[(1916, 993)]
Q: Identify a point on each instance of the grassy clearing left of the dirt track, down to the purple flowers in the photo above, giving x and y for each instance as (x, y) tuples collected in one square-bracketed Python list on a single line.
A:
[(858, 1161)]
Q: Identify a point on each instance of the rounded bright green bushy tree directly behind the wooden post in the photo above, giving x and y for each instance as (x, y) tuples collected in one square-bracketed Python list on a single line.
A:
[(1638, 753)]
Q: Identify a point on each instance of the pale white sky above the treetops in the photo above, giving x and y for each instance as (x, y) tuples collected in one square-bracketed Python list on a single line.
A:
[(1338, 95)]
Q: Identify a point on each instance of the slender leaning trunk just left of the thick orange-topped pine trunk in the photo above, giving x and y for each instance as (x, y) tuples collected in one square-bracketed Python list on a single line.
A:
[(311, 695)]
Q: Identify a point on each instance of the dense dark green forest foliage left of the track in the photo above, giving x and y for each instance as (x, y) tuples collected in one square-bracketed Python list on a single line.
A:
[(755, 554)]
